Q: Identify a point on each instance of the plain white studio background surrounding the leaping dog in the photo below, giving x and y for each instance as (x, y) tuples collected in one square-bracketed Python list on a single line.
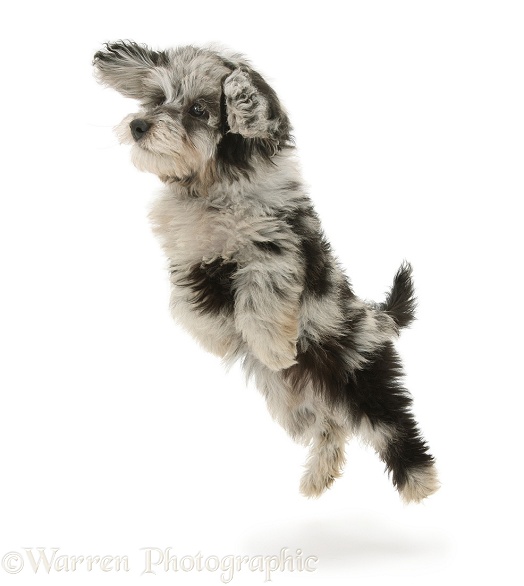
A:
[(118, 433)]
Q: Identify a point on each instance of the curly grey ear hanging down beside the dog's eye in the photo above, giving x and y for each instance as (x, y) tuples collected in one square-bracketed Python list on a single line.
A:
[(253, 109)]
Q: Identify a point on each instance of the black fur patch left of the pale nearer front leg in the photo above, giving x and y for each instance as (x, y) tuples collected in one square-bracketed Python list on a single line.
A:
[(211, 284)]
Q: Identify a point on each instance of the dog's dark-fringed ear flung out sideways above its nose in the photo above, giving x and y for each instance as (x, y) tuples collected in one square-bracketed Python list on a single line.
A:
[(126, 67)]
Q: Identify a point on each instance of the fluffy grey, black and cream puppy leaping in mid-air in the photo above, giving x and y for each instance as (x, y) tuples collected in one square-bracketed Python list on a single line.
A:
[(253, 275)]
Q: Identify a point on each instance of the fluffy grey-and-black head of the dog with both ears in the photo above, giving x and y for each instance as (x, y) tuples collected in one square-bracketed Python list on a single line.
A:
[(202, 115)]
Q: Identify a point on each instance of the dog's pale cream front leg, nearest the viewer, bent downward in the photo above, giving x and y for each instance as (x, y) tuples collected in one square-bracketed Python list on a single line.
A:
[(267, 303)]
